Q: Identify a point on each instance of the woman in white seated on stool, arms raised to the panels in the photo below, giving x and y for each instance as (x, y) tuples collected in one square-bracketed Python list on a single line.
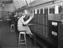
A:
[(22, 22)]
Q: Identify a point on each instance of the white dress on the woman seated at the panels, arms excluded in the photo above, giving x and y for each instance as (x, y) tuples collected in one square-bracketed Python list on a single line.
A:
[(21, 27)]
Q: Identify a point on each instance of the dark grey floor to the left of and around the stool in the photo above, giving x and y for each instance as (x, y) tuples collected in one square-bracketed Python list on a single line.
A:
[(9, 40)]
